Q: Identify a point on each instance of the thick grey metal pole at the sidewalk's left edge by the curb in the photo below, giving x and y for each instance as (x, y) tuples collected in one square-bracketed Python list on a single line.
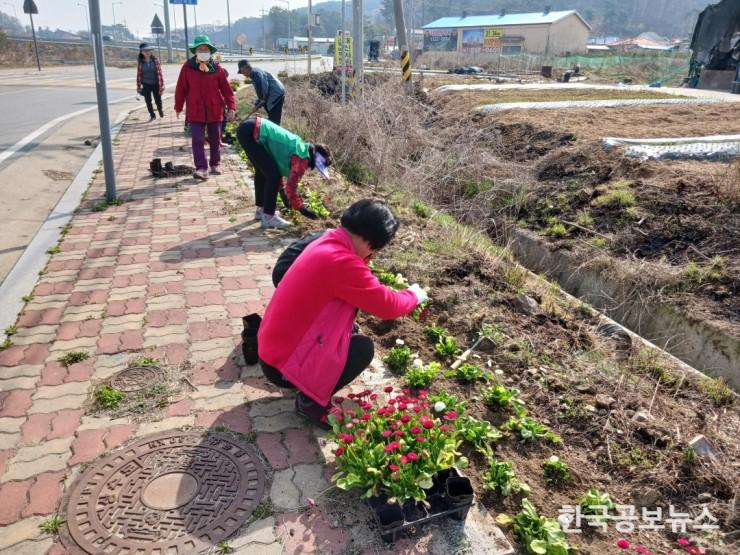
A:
[(105, 138)]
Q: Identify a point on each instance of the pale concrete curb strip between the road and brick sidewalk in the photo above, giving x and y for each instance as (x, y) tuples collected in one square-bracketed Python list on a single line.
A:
[(22, 278)]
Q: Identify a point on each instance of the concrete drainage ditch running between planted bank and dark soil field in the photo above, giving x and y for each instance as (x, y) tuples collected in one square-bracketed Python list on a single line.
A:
[(700, 344)]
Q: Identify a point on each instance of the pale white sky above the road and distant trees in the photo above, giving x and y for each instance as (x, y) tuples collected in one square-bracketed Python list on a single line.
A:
[(138, 14)]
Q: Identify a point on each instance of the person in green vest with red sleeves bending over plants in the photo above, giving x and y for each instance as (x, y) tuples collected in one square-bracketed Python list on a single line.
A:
[(276, 153)]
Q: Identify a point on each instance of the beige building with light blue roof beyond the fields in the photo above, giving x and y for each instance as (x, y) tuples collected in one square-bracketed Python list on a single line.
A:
[(546, 32)]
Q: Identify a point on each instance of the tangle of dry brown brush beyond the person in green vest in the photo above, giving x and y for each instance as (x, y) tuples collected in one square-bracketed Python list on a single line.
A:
[(446, 159)]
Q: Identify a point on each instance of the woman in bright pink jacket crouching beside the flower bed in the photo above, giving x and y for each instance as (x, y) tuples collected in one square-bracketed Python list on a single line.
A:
[(306, 337)]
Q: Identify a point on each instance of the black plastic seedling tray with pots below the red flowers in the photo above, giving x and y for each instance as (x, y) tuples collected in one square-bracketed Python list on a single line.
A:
[(450, 496)]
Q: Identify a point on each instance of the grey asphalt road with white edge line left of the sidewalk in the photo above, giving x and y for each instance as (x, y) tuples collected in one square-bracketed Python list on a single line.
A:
[(36, 109)]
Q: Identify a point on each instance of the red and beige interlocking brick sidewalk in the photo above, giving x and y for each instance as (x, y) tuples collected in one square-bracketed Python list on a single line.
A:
[(167, 274)]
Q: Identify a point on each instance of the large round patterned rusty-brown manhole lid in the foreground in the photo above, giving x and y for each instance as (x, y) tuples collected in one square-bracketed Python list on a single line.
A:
[(174, 493)]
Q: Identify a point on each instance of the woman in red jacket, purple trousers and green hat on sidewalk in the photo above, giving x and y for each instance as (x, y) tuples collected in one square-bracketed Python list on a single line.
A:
[(204, 88)]
